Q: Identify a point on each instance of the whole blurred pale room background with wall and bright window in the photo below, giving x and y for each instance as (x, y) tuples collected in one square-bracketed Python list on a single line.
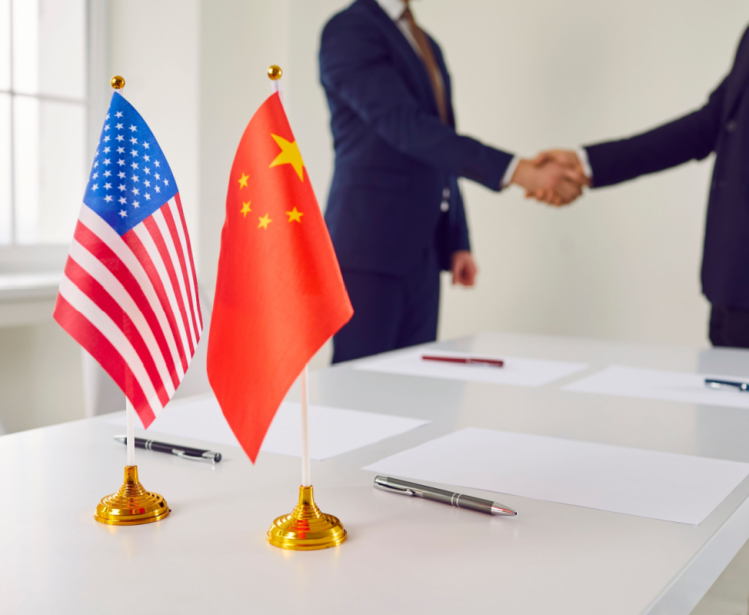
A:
[(620, 264)]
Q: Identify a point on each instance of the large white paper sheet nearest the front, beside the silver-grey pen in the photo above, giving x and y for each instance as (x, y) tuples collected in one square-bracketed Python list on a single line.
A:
[(653, 484)]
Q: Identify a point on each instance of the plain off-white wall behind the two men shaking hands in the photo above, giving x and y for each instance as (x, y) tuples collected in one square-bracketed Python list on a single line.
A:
[(622, 263)]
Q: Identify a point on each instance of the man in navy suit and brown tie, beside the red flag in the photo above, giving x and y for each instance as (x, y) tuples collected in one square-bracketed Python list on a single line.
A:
[(395, 211)]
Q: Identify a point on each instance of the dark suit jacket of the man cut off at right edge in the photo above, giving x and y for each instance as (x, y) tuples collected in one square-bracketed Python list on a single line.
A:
[(721, 126)]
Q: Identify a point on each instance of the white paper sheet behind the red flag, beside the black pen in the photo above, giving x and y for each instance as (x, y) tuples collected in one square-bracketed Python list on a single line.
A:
[(332, 431)]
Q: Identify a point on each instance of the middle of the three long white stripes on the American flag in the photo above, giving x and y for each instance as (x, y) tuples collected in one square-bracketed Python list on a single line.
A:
[(94, 267)]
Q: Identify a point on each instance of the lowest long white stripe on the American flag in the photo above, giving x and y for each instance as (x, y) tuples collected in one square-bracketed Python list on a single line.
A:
[(99, 319)]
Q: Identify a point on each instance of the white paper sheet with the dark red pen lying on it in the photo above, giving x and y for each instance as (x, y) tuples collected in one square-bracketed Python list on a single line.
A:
[(519, 372)]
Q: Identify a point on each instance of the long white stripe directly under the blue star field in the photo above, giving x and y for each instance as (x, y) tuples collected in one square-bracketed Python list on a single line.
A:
[(99, 227)]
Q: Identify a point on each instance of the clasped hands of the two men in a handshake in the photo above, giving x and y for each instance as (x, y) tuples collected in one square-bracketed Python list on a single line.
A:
[(548, 181)]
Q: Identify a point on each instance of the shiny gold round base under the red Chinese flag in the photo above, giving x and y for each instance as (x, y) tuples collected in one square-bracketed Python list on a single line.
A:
[(306, 528)]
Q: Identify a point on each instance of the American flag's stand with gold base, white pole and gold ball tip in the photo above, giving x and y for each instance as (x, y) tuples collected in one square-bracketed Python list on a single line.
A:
[(132, 504)]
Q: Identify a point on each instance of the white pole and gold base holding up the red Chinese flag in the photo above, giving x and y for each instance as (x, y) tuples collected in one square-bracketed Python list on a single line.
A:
[(306, 528)]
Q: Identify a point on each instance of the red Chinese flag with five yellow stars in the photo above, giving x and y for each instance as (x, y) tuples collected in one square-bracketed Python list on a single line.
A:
[(279, 293)]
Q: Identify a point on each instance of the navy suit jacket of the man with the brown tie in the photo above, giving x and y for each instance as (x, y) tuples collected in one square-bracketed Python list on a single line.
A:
[(394, 159)]
